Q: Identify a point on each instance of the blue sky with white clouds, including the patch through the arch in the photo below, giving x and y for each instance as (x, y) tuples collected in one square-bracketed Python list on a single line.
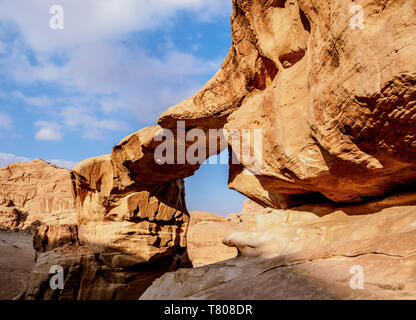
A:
[(67, 95)]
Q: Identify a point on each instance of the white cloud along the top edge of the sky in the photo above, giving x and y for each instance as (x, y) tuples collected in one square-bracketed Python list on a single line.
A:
[(86, 20)]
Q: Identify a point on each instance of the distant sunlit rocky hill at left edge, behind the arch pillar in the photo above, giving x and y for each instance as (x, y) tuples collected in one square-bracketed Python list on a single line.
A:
[(34, 193)]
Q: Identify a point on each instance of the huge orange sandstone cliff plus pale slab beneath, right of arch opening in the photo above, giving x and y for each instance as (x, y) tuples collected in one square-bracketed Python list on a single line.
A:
[(337, 109)]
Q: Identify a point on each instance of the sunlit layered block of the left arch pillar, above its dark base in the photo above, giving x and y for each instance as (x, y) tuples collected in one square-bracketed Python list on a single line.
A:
[(117, 214)]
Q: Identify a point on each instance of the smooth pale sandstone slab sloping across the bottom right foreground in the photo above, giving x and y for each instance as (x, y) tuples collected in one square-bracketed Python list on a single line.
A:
[(311, 253)]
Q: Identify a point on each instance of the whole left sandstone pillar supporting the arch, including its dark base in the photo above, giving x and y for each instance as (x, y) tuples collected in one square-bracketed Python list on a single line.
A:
[(128, 233)]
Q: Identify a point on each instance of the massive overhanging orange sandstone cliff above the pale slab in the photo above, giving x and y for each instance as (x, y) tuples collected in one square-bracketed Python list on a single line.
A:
[(330, 99)]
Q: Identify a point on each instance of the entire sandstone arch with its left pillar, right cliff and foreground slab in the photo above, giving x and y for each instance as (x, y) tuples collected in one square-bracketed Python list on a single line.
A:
[(337, 108)]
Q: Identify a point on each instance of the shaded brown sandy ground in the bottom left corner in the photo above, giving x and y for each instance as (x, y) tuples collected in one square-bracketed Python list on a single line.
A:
[(17, 258)]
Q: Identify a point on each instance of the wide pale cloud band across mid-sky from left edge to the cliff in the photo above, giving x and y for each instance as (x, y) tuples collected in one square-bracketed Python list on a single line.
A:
[(130, 80)]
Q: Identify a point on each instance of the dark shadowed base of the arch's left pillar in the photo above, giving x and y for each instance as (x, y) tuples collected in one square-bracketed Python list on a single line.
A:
[(91, 274)]
